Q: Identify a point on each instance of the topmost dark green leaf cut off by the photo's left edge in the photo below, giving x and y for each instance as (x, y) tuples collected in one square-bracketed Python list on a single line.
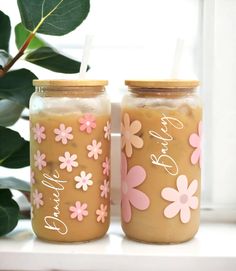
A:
[(5, 32)]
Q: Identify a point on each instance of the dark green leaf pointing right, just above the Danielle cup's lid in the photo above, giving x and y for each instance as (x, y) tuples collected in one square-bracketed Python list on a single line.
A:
[(47, 58)]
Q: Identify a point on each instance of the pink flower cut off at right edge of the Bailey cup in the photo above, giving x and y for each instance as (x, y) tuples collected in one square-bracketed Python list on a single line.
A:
[(195, 141)]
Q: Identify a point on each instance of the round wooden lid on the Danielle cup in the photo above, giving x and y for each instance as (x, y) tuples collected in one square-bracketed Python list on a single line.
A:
[(69, 83)]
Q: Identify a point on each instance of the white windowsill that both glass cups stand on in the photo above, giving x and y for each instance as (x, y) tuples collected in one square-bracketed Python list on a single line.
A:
[(213, 248)]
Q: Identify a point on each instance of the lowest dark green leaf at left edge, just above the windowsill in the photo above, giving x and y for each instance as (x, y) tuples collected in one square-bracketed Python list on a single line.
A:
[(9, 212)]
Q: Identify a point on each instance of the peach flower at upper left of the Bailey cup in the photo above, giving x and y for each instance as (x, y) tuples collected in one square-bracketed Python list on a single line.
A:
[(128, 137)]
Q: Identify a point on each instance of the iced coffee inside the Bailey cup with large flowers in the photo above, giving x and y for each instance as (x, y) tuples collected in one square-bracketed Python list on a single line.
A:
[(165, 156)]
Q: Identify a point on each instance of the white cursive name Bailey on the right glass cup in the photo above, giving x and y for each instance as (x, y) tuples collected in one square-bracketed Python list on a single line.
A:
[(164, 137)]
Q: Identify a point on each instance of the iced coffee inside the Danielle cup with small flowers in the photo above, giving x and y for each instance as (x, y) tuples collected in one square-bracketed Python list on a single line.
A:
[(55, 215)]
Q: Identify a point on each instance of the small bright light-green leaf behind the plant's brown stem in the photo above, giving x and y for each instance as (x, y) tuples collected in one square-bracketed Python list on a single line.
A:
[(21, 34)]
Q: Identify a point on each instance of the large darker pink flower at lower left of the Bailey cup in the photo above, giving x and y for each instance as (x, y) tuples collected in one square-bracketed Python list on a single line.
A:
[(130, 195)]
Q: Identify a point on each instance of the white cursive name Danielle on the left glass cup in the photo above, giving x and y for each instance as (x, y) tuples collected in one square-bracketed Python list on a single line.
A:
[(52, 221)]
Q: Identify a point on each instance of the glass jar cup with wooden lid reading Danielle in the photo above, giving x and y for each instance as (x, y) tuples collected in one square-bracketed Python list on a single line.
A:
[(70, 160)]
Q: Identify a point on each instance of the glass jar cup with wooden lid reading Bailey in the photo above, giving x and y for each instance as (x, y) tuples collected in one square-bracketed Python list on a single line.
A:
[(161, 160)]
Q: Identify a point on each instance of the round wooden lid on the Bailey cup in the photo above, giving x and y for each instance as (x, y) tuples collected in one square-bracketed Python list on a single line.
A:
[(162, 84)]
